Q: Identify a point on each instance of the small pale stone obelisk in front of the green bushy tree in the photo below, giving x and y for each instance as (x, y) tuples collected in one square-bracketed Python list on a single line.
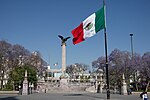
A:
[(25, 85)]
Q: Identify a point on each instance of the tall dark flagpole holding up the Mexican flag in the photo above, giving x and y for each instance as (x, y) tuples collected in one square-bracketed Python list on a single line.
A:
[(107, 74)]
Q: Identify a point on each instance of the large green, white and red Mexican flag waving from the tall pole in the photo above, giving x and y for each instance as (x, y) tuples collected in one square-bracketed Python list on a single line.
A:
[(89, 27)]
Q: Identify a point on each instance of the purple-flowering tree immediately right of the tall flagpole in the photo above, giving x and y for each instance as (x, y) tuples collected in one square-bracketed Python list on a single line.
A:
[(121, 64)]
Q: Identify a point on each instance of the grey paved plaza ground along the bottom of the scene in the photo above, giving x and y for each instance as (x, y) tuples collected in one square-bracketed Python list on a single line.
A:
[(69, 96)]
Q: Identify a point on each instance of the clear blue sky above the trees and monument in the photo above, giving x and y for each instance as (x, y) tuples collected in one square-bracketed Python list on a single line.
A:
[(36, 24)]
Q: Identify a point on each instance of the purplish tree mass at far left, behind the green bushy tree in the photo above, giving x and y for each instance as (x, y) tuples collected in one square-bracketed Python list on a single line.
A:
[(14, 56)]
